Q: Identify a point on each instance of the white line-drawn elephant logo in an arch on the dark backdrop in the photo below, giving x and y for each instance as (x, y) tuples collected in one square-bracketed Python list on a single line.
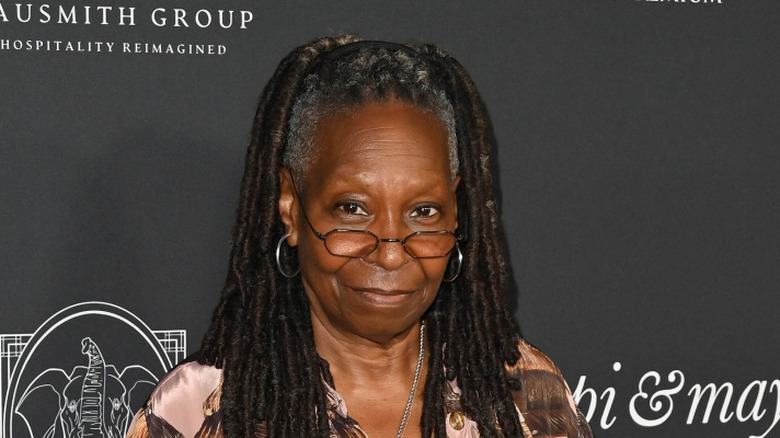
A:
[(83, 373)]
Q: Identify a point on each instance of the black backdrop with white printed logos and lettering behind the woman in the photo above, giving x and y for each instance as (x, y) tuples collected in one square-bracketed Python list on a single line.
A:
[(638, 159)]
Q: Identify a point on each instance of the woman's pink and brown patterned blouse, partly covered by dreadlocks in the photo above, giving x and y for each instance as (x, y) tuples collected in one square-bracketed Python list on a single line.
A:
[(186, 402)]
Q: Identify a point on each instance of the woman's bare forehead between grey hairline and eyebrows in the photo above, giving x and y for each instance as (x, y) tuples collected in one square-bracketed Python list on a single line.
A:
[(379, 137)]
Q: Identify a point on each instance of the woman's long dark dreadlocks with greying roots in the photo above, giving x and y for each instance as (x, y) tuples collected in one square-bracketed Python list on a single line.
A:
[(261, 333)]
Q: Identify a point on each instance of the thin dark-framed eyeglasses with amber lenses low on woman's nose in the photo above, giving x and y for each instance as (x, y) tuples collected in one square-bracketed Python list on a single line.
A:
[(344, 242)]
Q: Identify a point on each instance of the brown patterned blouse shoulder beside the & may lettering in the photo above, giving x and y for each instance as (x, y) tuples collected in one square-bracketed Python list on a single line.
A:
[(543, 397)]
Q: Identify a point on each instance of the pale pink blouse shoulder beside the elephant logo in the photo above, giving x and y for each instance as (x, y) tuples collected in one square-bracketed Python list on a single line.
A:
[(181, 401)]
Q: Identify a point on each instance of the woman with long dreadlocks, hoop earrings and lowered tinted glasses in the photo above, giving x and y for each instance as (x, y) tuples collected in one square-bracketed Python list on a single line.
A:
[(366, 288)]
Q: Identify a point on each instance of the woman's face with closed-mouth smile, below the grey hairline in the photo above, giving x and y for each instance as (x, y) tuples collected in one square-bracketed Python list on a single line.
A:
[(382, 167)]
